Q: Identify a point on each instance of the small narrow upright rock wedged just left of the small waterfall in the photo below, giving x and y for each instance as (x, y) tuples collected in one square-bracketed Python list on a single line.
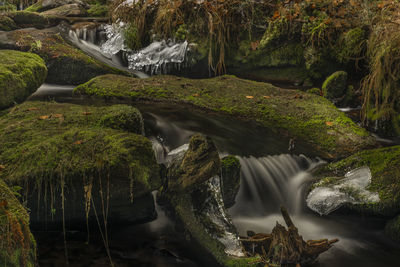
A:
[(230, 179)]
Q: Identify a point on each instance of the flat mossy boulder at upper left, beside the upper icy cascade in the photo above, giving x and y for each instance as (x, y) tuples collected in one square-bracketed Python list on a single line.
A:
[(66, 64)]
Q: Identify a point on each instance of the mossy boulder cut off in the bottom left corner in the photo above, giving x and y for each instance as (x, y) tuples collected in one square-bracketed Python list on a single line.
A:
[(17, 244)]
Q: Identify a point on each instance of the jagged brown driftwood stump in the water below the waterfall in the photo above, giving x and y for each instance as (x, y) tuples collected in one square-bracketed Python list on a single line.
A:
[(284, 247)]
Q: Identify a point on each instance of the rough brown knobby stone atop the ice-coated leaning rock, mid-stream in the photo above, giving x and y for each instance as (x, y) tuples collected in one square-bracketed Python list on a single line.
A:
[(199, 163)]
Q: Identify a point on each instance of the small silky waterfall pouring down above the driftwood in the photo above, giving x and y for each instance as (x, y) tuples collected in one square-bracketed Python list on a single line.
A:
[(271, 181)]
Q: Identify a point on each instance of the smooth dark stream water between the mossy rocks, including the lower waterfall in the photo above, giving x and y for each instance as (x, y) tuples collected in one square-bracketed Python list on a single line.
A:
[(270, 177)]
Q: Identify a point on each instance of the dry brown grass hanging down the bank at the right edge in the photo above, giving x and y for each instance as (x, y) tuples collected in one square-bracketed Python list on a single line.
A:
[(380, 87)]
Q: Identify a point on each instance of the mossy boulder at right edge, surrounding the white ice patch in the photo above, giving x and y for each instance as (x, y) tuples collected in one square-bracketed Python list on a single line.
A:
[(384, 164)]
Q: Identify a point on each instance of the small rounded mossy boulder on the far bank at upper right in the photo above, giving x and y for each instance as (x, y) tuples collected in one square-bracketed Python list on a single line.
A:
[(335, 85)]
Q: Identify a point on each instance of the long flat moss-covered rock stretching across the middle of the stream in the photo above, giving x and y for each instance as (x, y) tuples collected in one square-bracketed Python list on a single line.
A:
[(312, 119)]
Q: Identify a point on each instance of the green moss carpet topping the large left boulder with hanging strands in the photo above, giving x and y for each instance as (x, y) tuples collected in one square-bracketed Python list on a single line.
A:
[(44, 141)]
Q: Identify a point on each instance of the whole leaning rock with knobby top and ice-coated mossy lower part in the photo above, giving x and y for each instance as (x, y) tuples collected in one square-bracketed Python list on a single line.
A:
[(198, 202)]
